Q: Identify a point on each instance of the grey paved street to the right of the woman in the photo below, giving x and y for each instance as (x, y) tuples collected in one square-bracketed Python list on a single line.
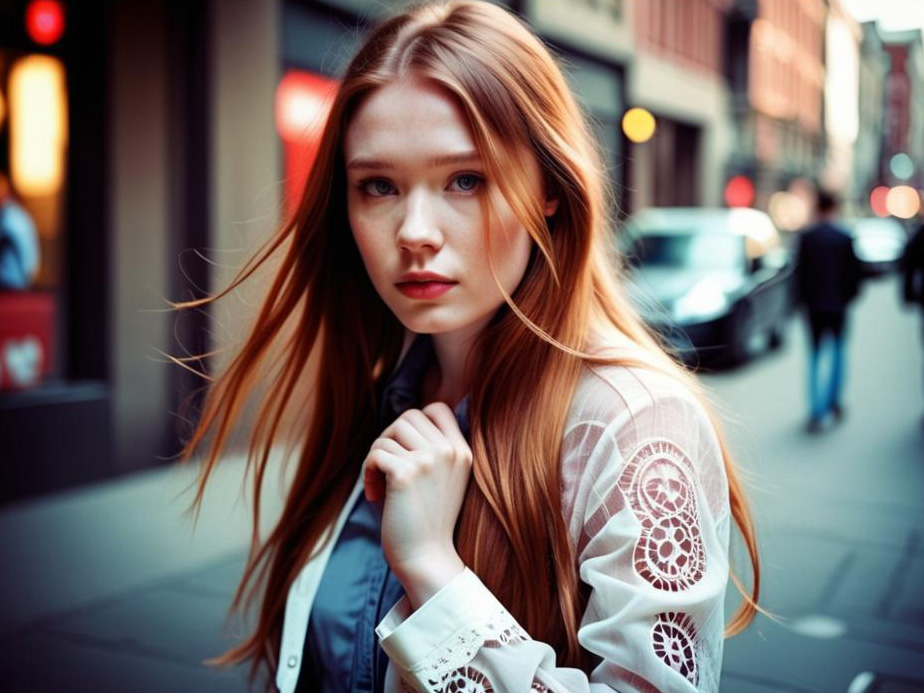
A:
[(840, 515)]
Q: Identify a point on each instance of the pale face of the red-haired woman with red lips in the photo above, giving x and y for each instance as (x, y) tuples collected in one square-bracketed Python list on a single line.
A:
[(415, 183)]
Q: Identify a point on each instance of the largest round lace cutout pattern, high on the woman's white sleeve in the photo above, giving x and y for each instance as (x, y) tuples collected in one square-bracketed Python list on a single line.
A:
[(658, 484)]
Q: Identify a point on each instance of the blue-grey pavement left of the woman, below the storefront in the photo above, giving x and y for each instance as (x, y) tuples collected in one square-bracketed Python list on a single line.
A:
[(108, 589)]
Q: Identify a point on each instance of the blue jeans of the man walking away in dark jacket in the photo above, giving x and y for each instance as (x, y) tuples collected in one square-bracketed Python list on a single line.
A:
[(827, 359)]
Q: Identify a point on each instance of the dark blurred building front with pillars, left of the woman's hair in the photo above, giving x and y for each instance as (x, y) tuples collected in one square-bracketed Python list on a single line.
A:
[(169, 149)]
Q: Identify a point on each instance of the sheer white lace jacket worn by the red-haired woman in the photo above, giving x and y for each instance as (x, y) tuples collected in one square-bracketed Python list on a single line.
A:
[(646, 498)]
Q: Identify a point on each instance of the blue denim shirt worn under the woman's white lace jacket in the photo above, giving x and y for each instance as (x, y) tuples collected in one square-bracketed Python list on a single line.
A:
[(342, 653)]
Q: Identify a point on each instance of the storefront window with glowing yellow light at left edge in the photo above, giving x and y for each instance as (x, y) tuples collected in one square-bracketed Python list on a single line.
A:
[(33, 165)]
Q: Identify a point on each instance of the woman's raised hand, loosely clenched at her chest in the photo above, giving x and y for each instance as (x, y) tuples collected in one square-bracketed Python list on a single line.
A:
[(420, 466)]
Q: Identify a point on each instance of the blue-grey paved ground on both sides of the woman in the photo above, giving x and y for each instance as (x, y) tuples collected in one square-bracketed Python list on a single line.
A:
[(106, 588)]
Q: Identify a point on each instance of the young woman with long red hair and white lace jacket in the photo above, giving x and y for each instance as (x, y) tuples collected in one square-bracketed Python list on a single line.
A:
[(505, 483)]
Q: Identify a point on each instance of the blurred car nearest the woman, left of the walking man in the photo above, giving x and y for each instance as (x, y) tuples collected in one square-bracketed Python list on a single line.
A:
[(713, 277)]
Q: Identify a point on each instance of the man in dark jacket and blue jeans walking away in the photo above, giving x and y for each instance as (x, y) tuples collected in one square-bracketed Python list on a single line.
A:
[(827, 279)]
